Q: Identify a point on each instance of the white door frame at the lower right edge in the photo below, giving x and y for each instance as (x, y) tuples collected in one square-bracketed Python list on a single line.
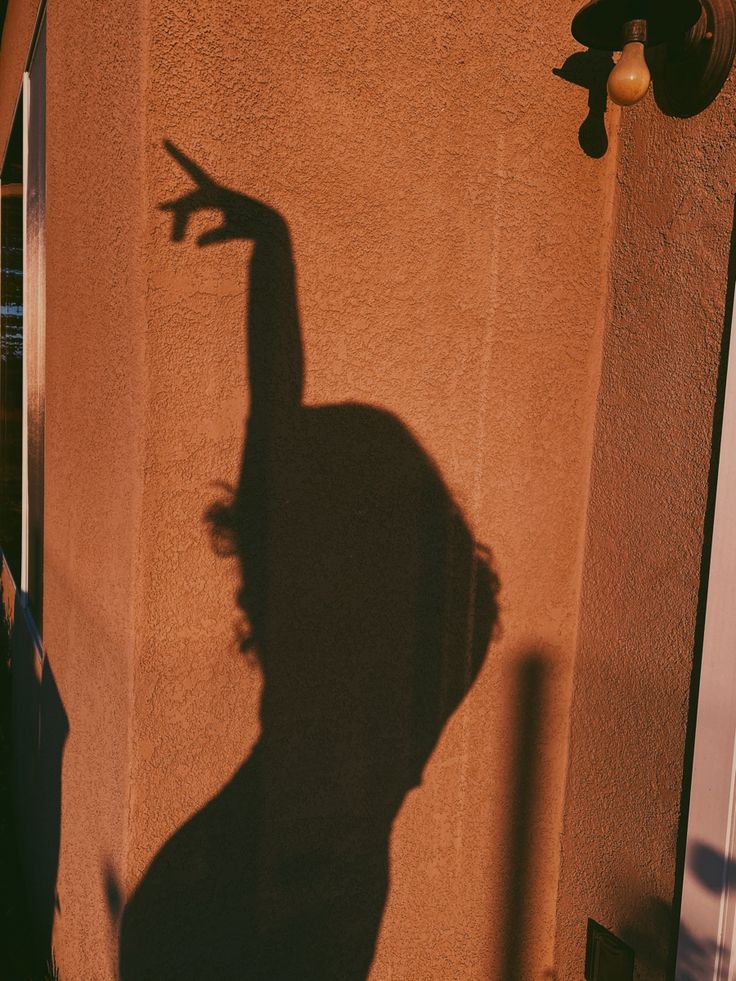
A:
[(707, 943)]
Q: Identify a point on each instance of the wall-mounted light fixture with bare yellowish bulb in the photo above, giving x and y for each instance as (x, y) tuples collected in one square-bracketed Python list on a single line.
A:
[(698, 39)]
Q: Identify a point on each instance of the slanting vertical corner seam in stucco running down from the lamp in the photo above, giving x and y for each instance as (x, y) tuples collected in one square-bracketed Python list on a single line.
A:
[(603, 318)]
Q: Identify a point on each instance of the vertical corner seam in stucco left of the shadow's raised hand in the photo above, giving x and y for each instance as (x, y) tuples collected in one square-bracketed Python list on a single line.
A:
[(137, 605)]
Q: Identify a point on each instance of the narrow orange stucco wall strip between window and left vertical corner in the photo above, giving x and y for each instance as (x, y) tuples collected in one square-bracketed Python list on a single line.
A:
[(94, 422)]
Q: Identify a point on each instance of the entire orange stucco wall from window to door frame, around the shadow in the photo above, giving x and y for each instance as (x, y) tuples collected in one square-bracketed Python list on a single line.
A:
[(451, 247)]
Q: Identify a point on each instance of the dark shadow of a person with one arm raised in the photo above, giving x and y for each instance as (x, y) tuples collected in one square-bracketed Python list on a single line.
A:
[(370, 608)]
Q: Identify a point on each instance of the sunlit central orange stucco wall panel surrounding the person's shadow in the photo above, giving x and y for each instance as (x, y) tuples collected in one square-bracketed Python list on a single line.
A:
[(450, 243)]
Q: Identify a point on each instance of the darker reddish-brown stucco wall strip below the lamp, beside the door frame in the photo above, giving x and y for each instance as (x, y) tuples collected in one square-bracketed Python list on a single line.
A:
[(669, 269)]
